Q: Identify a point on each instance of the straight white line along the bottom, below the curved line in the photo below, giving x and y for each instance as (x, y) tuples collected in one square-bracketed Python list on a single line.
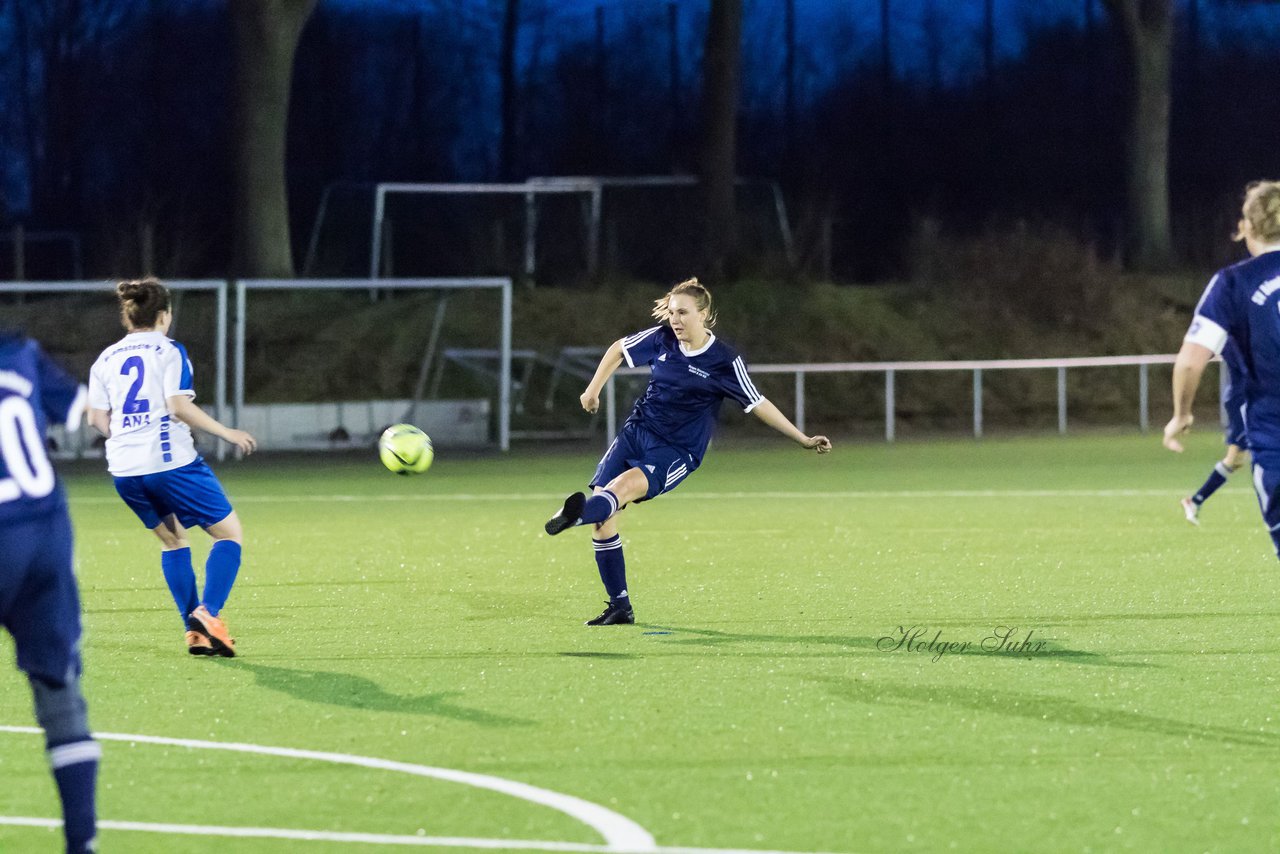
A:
[(376, 839)]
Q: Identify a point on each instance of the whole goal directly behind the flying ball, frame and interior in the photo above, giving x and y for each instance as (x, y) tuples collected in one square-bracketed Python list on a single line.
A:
[(330, 364)]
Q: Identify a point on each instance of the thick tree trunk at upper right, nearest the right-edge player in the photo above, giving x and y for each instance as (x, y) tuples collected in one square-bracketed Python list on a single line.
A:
[(1149, 29)]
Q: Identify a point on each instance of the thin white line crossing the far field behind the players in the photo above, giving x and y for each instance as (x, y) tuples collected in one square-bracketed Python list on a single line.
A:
[(703, 496)]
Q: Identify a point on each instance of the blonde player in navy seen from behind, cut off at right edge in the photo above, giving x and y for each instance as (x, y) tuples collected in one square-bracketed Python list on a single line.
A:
[(1242, 305)]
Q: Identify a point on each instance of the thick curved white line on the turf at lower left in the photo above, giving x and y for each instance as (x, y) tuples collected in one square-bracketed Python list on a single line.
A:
[(619, 832)]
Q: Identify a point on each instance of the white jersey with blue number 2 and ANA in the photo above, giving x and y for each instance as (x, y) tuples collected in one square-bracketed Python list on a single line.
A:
[(135, 380)]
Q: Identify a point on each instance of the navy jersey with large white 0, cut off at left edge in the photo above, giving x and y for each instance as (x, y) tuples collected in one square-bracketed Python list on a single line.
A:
[(34, 394)]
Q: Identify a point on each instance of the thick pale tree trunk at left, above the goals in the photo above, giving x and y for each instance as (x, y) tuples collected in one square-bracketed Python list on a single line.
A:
[(267, 35)]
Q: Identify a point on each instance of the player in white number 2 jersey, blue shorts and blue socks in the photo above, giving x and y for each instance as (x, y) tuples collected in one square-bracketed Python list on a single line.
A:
[(141, 399)]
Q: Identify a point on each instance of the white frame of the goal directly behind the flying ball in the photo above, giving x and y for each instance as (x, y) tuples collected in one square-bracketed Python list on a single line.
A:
[(502, 285)]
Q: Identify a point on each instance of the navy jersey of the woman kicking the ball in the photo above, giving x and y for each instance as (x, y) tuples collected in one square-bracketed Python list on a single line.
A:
[(687, 387)]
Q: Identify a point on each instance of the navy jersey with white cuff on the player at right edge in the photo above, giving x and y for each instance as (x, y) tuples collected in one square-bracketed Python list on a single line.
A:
[(1242, 305)]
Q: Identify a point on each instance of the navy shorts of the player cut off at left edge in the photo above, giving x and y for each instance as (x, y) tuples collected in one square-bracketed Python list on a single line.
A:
[(39, 602)]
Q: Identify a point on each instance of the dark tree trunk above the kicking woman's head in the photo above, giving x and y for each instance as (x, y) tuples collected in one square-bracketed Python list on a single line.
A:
[(721, 90)]
